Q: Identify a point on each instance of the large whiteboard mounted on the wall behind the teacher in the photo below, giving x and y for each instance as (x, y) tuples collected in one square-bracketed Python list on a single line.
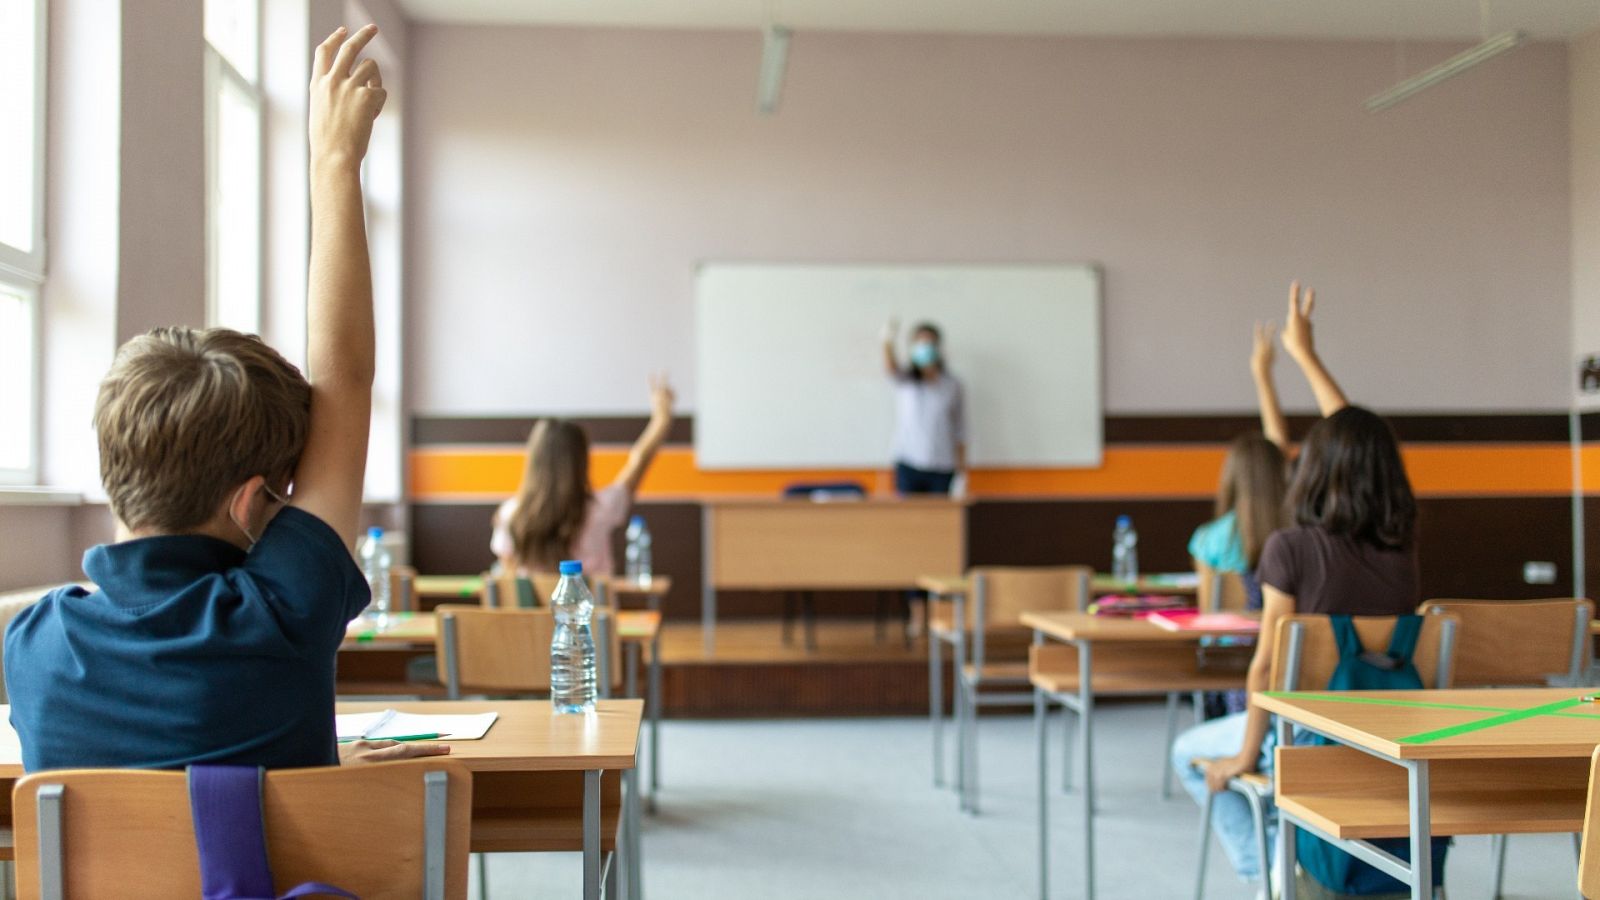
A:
[(790, 361)]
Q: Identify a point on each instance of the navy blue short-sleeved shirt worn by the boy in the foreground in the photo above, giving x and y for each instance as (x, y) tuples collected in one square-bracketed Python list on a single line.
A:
[(191, 651)]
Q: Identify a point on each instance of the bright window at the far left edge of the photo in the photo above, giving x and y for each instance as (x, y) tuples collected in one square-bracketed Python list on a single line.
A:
[(22, 233)]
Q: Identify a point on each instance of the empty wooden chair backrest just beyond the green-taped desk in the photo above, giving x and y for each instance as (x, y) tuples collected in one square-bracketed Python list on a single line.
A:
[(1519, 643)]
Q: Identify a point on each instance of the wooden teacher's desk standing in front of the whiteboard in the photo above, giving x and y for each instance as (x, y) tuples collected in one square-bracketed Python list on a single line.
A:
[(802, 545)]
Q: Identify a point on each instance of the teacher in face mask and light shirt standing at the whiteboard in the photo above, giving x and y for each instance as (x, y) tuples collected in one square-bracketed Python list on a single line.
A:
[(930, 416)]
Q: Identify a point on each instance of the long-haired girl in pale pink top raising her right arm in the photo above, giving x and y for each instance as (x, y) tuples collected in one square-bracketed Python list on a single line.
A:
[(556, 515)]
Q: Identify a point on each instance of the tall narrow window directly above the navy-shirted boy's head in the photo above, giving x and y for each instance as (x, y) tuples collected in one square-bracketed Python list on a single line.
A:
[(234, 116)]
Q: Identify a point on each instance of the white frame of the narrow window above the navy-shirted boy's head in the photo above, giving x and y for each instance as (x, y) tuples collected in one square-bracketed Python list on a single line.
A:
[(218, 70)]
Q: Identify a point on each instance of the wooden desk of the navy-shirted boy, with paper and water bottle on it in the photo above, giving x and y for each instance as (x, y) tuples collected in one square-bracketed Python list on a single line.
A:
[(538, 781)]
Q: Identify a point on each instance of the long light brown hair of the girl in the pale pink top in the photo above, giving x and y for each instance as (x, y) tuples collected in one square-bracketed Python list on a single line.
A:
[(554, 497)]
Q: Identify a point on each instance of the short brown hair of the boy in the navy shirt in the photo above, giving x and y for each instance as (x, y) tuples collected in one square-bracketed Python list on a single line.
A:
[(188, 416)]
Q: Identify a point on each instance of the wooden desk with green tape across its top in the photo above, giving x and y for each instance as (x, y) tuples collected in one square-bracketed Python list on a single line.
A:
[(1433, 763)]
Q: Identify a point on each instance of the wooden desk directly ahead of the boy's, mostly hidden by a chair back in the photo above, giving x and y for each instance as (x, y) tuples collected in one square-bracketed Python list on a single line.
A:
[(412, 635)]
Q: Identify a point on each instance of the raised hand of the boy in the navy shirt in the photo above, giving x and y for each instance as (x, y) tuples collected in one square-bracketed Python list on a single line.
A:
[(346, 97)]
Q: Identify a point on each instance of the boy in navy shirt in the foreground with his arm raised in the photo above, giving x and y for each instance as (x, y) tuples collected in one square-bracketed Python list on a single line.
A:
[(238, 488)]
